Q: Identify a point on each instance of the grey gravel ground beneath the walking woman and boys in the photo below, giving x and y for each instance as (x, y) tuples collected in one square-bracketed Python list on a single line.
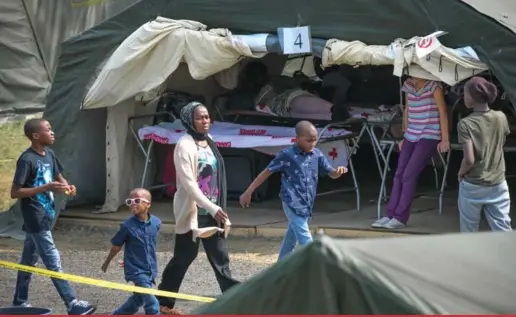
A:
[(83, 255)]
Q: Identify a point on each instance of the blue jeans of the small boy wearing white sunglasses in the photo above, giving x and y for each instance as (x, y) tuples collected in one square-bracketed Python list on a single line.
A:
[(134, 302)]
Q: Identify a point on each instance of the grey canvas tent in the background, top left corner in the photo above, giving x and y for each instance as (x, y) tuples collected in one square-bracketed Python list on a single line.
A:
[(32, 31)]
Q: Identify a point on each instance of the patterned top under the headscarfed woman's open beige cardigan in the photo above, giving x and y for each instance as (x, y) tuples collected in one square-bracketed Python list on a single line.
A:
[(207, 175)]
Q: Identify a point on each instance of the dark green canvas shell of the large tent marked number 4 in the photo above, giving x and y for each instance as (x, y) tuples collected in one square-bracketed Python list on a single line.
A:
[(81, 134)]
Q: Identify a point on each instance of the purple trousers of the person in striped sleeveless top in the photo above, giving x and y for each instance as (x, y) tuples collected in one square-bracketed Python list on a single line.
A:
[(413, 158)]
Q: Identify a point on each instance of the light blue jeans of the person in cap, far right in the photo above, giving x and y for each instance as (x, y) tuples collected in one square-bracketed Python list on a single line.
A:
[(494, 200)]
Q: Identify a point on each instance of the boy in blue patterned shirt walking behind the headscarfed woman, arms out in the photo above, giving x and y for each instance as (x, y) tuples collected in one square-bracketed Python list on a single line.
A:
[(300, 166)]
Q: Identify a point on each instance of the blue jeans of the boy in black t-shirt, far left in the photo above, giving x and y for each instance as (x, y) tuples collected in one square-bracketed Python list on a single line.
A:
[(41, 244)]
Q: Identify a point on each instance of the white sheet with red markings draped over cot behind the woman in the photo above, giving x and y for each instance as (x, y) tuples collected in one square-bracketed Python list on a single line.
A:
[(265, 139)]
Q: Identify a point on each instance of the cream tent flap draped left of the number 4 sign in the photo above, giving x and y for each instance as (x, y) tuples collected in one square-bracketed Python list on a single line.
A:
[(138, 64)]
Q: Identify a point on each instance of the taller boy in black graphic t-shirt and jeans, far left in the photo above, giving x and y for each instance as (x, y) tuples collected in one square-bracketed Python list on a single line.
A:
[(37, 178)]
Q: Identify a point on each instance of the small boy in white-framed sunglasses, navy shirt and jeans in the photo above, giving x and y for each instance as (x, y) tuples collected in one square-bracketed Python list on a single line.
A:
[(139, 235)]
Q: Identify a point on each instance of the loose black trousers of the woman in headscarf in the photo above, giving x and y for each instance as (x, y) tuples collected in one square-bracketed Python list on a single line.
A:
[(185, 252)]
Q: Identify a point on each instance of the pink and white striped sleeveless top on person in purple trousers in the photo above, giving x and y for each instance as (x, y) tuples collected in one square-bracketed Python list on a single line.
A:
[(423, 114)]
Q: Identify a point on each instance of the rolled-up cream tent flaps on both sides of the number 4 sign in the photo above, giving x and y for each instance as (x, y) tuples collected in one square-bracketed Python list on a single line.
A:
[(137, 65)]
